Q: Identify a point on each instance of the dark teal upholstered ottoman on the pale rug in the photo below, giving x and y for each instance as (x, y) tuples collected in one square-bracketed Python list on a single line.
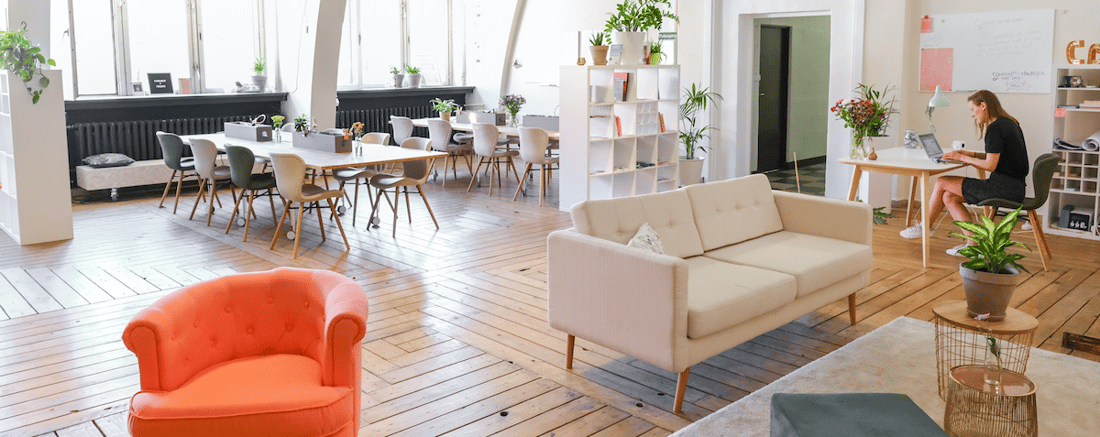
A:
[(850, 414)]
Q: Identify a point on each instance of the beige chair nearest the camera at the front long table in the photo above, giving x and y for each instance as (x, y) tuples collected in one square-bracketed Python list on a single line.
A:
[(290, 174)]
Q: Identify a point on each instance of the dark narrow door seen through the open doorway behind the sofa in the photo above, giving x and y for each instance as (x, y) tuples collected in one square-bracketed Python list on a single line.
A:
[(774, 97)]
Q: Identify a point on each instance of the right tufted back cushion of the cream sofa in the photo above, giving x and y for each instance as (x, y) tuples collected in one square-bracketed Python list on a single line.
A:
[(731, 212)]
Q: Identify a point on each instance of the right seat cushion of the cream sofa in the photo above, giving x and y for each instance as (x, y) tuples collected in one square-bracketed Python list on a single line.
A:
[(816, 263)]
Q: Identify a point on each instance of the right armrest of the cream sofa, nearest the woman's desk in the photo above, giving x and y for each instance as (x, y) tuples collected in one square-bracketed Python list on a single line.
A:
[(826, 217)]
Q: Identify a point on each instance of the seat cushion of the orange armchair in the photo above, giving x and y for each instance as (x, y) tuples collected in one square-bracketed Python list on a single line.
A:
[(239, 395)]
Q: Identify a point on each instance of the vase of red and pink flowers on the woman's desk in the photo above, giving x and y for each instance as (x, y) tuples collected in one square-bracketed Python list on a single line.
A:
[(868, 115)]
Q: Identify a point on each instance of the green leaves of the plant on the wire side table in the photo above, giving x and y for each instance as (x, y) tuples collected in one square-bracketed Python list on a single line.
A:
[(989, 255)]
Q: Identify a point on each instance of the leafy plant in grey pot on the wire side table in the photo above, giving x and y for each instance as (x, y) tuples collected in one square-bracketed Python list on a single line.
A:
[(992, 275)]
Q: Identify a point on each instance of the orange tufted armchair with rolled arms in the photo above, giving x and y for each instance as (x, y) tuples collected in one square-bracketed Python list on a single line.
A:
[(268, 354)]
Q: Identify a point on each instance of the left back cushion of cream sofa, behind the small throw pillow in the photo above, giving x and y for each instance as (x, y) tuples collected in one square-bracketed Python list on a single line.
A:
[(670, 214)]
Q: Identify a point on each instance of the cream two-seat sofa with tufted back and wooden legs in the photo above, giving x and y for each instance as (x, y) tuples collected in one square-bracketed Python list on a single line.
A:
[(742, 260)]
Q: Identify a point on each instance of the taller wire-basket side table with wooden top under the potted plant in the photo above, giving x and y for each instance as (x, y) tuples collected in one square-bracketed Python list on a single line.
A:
[(961, 341)]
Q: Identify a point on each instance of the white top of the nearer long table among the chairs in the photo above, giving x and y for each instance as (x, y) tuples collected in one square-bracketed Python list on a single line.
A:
[(373, 155)]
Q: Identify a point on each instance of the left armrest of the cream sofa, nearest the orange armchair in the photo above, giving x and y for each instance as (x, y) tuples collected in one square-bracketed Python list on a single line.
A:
[(624, 299)]
